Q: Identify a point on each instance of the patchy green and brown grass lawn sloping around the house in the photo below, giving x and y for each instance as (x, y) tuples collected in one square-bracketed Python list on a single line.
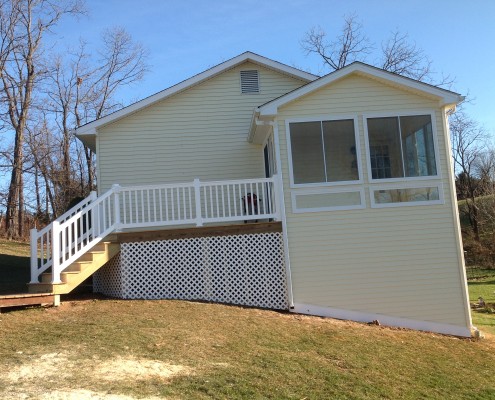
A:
[(92, 348)]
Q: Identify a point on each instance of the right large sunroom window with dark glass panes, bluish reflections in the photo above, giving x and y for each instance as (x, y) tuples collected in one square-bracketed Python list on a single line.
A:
[(401, 147)]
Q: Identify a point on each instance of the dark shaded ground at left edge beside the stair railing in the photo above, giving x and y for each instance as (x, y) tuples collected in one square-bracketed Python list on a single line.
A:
[(14, 274)]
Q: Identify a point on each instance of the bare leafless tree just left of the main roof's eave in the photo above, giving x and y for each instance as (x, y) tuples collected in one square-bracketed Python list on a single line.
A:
[(83, 89)]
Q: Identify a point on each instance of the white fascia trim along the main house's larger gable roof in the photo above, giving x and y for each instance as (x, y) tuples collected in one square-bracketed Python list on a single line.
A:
[(90, 128)]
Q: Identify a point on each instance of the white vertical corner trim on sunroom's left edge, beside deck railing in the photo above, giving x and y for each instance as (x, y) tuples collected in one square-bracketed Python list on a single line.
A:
[(283, 215)]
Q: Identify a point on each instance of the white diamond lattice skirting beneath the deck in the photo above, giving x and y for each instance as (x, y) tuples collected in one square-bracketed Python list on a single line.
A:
[(238, 269)]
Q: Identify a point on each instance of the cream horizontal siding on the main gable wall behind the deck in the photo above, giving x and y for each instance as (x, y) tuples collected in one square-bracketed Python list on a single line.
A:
[(199, 133)]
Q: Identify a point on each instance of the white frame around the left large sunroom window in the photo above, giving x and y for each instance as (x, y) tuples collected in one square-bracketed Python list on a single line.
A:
[(322, 118)]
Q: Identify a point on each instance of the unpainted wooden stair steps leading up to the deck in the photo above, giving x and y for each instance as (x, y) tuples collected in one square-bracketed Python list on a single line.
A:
[(78, 271)]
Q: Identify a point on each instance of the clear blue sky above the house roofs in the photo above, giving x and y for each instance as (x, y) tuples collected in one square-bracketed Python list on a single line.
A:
[(186, 37)]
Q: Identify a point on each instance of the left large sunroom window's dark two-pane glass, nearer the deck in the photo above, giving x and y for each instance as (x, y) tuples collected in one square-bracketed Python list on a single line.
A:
[(323, 151)]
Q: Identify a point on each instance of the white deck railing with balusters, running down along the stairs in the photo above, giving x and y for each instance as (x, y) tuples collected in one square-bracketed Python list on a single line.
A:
[(71, 235)]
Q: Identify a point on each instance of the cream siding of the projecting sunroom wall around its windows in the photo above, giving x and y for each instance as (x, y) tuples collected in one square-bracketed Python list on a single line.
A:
[(402, 262)]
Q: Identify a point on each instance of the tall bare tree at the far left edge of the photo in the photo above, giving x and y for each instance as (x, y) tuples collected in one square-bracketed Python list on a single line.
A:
[(24, 27)]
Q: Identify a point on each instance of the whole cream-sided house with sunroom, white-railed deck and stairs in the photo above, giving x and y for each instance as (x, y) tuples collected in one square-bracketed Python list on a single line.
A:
[(258, 184)]
